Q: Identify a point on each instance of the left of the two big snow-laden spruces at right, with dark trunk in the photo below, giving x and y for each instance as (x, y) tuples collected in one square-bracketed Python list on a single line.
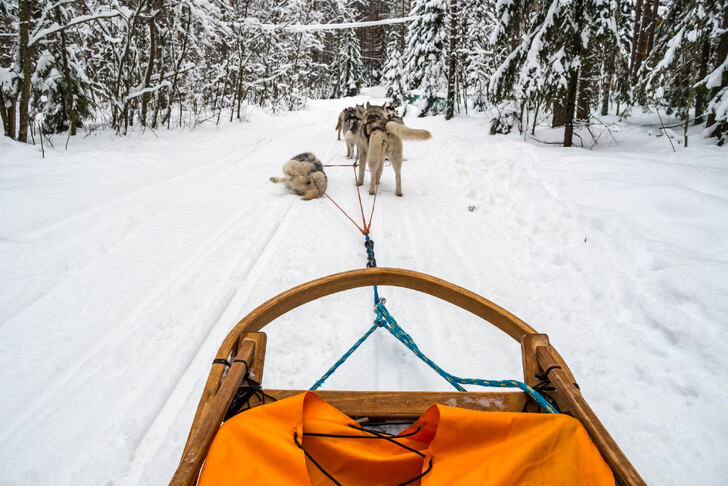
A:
[(549, 43)]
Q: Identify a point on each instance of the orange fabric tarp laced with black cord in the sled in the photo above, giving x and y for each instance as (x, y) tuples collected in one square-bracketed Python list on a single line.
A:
[(464, 447)]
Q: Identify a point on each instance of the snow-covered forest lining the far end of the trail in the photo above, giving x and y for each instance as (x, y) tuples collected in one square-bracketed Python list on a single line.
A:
[(160, 63)]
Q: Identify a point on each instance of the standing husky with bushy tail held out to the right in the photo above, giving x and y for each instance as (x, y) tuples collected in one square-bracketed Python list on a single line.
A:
[(381, 137)]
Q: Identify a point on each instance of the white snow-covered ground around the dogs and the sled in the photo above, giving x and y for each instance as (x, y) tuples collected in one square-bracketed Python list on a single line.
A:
[(125, 261)]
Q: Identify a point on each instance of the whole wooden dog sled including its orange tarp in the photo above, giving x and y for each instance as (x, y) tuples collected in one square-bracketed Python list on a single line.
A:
[(302, 437)]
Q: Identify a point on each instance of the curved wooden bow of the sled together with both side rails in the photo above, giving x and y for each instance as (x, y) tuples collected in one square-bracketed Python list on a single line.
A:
[(538, 355)]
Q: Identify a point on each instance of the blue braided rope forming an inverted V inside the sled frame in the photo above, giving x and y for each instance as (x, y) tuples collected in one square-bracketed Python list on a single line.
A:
[(384, 319)]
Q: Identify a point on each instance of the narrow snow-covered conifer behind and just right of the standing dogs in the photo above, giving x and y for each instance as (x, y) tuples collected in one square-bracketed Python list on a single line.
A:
[(425, 53)]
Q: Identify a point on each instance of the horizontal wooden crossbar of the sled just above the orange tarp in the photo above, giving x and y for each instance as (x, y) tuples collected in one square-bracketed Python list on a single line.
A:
[(396, 405)]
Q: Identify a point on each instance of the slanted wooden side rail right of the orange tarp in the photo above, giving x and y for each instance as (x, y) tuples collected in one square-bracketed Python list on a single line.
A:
[(612, 454)]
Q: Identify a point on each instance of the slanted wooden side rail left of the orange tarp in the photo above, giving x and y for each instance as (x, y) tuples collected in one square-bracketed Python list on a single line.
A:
[(199, 443)]
